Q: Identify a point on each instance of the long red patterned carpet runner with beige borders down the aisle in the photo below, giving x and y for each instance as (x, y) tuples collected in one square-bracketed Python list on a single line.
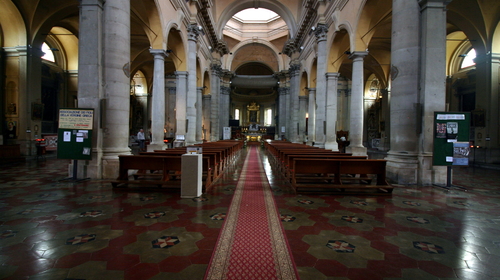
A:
[(251, 244)]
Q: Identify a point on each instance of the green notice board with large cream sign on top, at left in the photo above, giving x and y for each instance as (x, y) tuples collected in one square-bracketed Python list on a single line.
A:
[(75, 134)]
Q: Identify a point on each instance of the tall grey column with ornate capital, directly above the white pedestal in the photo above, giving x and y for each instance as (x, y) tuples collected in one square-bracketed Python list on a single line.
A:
[(193, 33)]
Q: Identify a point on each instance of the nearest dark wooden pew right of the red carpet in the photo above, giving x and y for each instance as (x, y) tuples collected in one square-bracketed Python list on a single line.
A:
[(340, 176)]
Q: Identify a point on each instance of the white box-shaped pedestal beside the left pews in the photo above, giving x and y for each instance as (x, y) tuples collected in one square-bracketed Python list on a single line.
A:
[(192, 168)]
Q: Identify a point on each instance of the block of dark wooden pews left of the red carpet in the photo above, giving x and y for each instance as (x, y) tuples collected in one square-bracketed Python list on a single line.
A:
[(163, 168)]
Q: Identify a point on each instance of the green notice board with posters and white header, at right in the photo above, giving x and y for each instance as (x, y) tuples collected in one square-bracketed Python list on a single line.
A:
[(451, 138)]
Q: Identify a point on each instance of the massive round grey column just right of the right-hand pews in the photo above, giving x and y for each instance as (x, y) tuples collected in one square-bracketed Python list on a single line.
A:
[(402, 158)]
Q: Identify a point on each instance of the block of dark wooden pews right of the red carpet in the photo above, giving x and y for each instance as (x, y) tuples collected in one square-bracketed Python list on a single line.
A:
[(317, 170)]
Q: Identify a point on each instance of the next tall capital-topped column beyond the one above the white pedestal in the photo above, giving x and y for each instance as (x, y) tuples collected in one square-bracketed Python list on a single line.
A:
[(216, 72)]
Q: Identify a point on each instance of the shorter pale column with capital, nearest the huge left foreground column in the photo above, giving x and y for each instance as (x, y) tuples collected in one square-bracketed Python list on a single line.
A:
[(158, 102)]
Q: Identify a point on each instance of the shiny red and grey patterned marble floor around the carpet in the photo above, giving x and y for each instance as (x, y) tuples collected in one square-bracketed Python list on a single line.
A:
[(52, 229)]
